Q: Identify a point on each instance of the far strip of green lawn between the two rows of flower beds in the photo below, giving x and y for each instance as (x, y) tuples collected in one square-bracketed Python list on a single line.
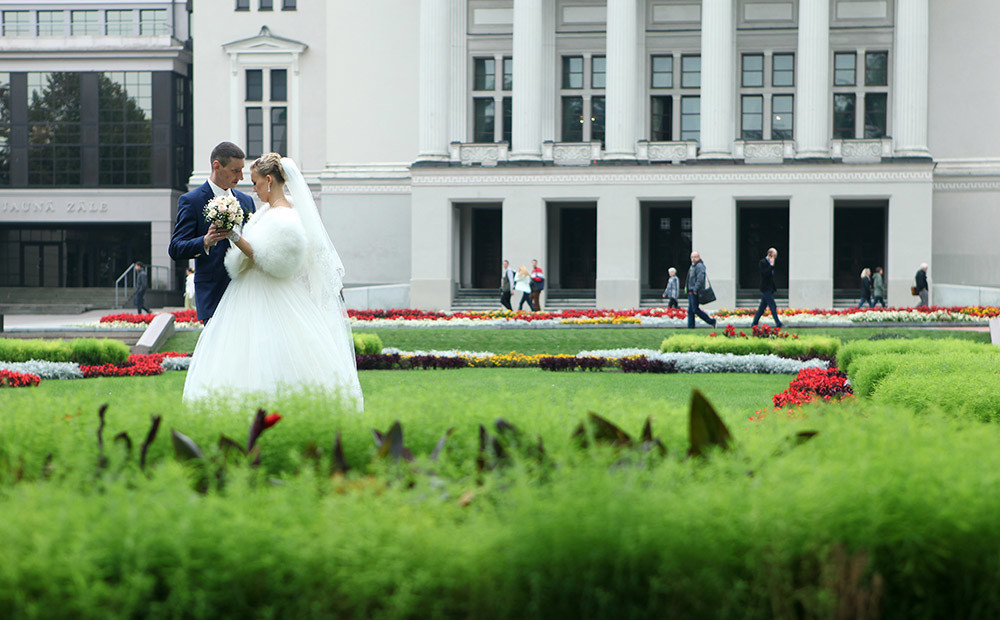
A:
[(567, 340)]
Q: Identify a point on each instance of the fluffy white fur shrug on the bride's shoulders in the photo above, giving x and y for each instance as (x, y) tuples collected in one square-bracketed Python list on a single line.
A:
[(278, 241)]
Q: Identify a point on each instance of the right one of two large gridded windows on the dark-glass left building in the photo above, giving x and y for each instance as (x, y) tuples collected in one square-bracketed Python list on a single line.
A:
[(125, 128)]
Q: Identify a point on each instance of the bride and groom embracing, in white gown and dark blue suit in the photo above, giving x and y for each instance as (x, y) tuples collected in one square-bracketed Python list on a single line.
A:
[(268, 285)]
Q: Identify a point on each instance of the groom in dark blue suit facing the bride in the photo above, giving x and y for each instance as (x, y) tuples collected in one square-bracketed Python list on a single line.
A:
[(194, 238)]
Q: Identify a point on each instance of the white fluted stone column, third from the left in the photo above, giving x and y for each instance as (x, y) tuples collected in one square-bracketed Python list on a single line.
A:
[(623, 74)]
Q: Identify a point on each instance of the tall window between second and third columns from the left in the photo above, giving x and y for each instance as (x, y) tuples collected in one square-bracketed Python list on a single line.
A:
[(584, 79)]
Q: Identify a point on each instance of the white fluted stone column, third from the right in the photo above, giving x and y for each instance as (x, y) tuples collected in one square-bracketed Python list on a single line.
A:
[(717, 86)]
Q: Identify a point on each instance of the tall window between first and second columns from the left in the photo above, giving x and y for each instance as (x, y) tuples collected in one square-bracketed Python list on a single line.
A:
[(491, 94)]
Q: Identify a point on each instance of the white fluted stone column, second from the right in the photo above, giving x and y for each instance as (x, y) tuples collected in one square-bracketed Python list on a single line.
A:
[(812, 74)]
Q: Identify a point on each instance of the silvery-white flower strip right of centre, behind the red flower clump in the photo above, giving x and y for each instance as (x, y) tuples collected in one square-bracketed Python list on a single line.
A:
[(714, 362)]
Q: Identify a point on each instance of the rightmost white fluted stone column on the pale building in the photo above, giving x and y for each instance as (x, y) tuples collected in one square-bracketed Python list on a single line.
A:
[(909, 109)]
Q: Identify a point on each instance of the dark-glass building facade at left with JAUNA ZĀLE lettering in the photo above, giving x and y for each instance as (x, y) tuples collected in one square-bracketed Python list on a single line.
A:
[(95, 139)]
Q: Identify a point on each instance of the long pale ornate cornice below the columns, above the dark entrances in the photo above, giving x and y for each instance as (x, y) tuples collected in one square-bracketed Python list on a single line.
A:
[(674, 178)]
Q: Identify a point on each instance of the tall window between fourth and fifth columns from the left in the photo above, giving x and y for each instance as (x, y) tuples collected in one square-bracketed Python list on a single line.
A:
[(767, 98)]
